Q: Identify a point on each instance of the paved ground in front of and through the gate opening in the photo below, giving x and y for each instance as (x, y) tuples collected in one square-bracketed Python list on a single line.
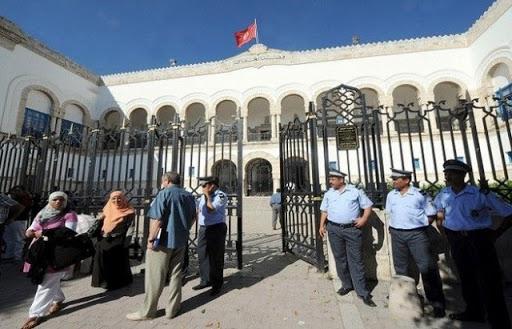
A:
[(273, 290)]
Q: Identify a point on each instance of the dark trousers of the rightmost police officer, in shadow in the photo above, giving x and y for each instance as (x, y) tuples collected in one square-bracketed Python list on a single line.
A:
[(480, 275)]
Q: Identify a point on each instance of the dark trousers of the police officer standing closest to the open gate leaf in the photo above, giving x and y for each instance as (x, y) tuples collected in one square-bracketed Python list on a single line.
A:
[(346, 245)]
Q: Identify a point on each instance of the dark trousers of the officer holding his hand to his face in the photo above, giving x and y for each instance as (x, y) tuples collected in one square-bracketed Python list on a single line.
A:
[(210, 249)]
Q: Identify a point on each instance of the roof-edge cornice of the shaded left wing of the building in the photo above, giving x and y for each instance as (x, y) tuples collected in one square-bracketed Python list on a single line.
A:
[(11, 35)]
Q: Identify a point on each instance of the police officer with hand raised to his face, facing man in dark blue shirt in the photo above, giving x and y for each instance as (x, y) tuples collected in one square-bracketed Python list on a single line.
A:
[(212, 235)]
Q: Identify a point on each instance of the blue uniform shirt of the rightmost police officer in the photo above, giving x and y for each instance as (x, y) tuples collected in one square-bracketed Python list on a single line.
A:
[(469, 209)]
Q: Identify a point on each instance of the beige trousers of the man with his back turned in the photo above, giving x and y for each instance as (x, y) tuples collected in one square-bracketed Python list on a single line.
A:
[(158, 263)]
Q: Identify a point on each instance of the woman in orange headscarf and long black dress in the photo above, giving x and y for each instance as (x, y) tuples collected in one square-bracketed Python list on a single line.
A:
[(111, 265)]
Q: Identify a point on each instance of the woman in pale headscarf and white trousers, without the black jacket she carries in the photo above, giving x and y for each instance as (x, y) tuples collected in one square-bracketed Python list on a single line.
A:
[(49, 296)]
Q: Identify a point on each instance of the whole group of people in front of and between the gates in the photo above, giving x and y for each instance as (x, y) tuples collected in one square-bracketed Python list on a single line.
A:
[(460, 212)]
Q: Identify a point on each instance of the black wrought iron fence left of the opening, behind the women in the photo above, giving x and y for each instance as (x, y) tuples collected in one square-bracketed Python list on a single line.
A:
[(90, 164)]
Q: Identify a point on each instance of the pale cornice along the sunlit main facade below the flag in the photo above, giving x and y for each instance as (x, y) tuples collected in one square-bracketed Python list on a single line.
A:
[(259, 55)]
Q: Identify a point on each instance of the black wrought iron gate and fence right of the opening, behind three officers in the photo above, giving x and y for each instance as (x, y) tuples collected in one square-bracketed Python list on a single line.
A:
[(365, 142)]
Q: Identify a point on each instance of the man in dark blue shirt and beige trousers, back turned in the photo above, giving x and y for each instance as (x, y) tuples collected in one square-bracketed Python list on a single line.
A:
[(172, 214)]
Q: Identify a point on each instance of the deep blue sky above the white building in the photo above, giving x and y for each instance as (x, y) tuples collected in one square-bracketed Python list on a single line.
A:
[(111, 36)]
